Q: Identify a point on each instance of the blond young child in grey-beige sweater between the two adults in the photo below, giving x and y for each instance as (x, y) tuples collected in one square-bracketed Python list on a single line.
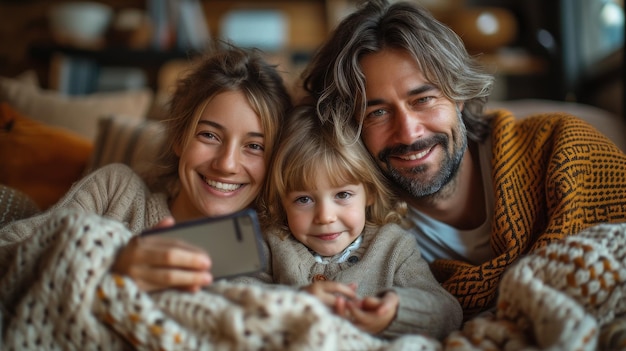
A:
[(331, 230)]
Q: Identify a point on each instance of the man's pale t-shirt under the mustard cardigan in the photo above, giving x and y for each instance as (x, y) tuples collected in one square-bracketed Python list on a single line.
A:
[(439, 240)]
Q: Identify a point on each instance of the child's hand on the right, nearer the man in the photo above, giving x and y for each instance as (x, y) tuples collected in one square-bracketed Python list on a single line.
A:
[(373, 314)]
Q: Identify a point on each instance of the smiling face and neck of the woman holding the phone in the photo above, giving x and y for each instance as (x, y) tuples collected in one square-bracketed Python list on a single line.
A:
[(229, 135)]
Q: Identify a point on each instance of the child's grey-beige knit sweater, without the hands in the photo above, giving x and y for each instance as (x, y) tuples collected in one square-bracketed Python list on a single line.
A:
[(387, 258)]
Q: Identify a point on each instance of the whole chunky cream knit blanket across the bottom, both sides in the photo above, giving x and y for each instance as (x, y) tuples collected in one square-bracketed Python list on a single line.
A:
[(59, 295)]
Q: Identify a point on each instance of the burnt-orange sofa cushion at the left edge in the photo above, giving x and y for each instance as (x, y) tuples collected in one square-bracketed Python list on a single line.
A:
[(39, 160)]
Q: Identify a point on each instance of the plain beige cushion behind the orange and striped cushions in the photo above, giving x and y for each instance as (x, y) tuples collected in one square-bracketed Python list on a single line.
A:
[(79, 114)]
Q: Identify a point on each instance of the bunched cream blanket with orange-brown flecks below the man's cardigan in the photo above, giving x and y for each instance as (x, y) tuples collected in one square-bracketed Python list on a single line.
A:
[(569, 295)]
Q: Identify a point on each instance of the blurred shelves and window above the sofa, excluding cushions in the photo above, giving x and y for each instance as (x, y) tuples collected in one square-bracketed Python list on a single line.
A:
[(567, 50)]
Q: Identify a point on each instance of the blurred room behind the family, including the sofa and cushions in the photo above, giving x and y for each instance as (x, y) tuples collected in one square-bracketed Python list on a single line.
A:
[(86, 83)]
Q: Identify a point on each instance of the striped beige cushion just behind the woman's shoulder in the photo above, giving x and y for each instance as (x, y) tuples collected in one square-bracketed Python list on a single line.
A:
[(122, 140)]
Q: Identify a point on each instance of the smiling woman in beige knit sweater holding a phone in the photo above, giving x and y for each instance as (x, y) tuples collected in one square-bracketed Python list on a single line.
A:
[(222, 126)]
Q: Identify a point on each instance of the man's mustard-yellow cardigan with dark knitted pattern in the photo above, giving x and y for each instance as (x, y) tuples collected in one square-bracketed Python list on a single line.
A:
[(553, 175)]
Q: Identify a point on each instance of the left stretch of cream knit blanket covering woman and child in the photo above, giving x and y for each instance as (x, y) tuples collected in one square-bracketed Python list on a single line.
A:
[(66, 299)]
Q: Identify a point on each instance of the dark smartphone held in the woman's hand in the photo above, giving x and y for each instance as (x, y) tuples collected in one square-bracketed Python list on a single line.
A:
[(232, 241)]
